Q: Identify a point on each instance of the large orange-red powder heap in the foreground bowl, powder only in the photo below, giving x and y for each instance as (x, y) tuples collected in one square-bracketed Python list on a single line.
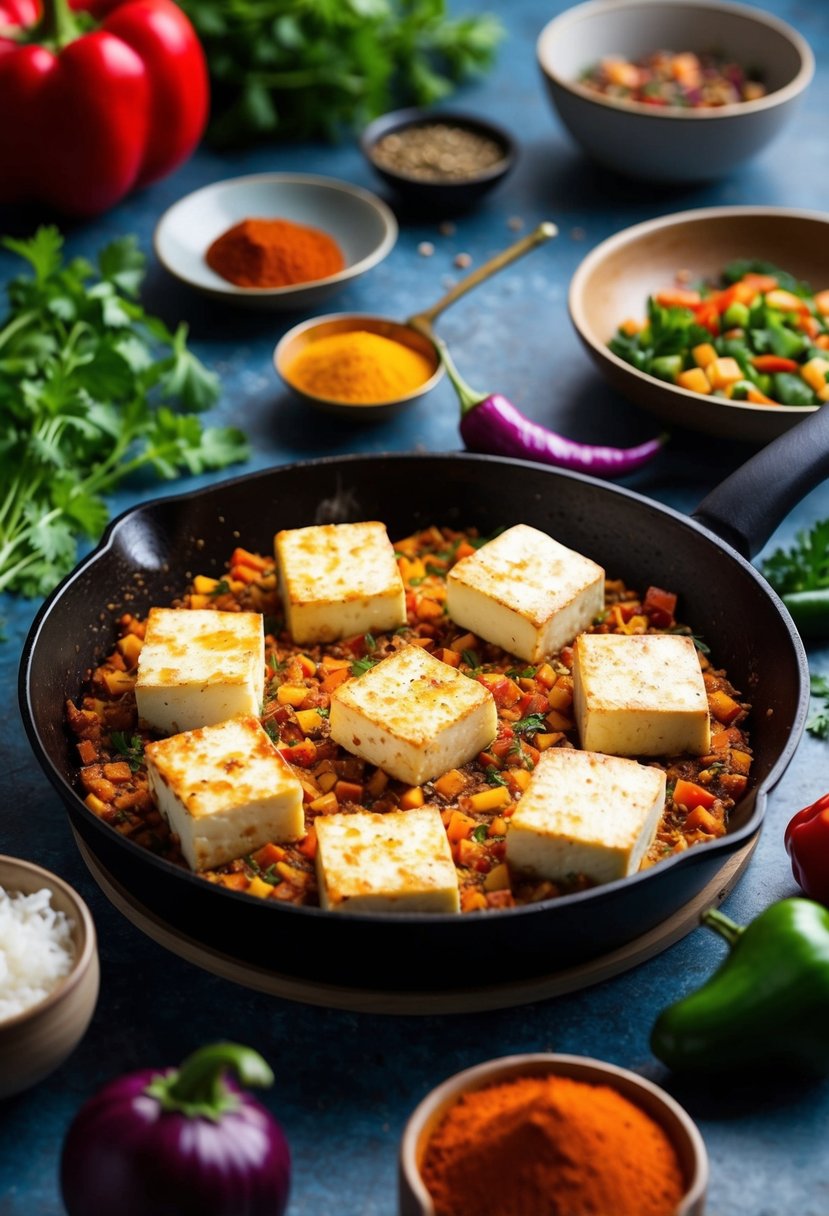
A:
[(551, 1146)]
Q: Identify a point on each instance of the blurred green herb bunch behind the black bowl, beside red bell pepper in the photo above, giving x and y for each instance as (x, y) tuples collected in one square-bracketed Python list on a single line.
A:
[(294, 70)]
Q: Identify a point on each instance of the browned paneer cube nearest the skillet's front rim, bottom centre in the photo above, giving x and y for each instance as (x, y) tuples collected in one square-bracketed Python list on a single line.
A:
[(396, 863)]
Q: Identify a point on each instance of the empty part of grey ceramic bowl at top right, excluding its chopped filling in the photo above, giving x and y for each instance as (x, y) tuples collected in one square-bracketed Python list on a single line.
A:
[(672, 144)]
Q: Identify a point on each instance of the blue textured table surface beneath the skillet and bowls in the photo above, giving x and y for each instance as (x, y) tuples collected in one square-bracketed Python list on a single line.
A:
[(346, 1083)]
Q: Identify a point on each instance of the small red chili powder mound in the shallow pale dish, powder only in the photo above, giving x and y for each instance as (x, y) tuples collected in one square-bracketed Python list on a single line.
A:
[(274, 254)]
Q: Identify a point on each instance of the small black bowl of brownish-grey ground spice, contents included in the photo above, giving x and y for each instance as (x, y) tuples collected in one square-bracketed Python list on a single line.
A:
[(442, 161)]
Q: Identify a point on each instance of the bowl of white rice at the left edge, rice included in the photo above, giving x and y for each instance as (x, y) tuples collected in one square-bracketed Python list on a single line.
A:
[(49, 973)]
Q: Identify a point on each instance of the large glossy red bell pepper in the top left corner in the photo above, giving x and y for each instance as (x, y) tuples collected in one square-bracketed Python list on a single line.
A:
[(97, 103)]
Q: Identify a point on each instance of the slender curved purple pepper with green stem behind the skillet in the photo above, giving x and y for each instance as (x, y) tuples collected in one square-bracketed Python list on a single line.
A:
[(493, 425)]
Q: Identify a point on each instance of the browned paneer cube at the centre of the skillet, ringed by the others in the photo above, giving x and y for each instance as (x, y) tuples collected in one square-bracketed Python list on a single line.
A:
[(414, 717)]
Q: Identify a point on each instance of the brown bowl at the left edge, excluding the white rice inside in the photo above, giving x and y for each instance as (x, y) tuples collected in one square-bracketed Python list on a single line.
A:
[(37, 1042)]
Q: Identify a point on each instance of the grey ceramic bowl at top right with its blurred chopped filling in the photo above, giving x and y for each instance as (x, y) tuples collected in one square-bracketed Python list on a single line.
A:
[(673, 93)]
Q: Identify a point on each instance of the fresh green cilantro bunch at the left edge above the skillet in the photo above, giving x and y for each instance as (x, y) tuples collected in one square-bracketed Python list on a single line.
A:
[(88, 389)]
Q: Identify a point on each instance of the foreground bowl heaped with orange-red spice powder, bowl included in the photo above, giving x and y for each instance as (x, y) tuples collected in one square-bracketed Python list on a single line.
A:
[(545, 1134)]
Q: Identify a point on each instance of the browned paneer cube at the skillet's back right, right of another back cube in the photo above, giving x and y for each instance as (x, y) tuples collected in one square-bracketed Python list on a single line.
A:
[(526, 593)]
